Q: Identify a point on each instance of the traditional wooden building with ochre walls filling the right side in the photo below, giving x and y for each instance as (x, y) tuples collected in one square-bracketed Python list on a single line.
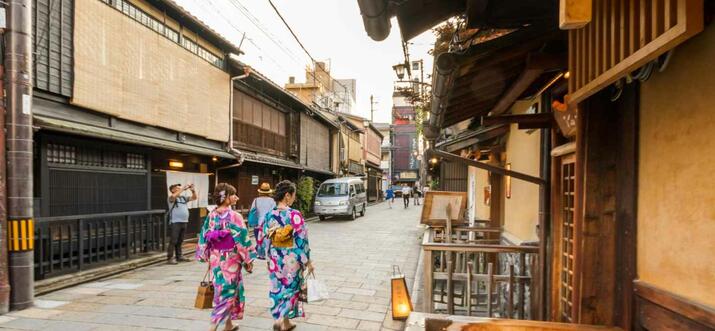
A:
[(624, 215)]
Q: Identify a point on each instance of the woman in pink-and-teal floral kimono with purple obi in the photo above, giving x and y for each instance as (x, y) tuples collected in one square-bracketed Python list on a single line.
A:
[(225, 245)]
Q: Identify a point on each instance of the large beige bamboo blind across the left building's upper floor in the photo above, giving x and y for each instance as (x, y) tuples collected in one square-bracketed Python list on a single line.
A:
[(124, 69)]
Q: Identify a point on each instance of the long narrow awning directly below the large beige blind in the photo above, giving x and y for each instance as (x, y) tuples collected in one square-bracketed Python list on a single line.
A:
[(60, 125)]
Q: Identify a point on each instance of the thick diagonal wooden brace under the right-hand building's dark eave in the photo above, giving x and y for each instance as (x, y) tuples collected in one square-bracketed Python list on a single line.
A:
[(537, 64)]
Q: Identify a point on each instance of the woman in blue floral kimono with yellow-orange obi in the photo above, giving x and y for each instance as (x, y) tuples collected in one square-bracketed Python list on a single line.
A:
[(285, 238)]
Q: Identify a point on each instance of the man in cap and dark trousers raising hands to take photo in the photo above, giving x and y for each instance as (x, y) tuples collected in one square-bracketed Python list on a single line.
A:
[(178, 218)]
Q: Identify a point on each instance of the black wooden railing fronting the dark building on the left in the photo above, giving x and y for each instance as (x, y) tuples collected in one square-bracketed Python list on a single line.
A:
[(66, 244)]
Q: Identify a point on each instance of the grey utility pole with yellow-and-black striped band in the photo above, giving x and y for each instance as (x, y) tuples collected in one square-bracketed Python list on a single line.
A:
[(18, 85)]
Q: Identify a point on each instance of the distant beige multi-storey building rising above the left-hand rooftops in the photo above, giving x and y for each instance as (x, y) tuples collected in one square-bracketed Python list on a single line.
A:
[(322, 89)]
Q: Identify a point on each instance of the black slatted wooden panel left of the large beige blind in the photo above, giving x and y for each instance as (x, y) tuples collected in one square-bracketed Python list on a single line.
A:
[(53, 43)]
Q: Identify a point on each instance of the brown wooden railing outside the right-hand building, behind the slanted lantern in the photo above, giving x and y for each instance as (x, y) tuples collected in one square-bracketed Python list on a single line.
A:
[(470, 273)]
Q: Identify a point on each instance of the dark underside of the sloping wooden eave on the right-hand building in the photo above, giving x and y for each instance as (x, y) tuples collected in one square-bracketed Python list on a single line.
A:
[(499, 71)]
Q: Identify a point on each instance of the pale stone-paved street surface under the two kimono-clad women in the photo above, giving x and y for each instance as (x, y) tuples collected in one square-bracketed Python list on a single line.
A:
[(354, 258)]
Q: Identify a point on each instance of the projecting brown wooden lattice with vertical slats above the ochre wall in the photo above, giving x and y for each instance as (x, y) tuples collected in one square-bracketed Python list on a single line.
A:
[(623, 36)]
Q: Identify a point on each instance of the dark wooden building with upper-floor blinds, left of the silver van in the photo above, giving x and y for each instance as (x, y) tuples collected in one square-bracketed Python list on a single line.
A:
[(279, 137)]
